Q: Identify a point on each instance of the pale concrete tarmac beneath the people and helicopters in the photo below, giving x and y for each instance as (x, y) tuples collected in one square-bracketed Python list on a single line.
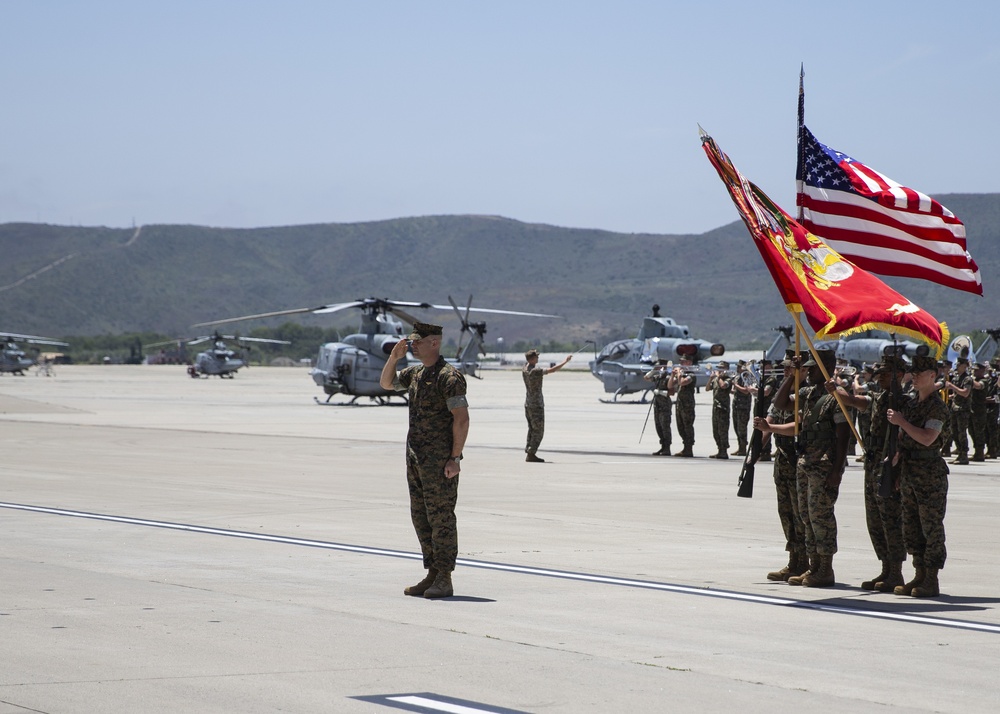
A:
[(173, 544)]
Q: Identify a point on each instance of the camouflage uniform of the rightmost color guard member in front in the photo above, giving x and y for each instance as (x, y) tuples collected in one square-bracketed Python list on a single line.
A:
[(924, 484)]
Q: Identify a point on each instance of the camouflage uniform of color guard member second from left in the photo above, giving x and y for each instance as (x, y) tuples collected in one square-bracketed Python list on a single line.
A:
[(816, 448)]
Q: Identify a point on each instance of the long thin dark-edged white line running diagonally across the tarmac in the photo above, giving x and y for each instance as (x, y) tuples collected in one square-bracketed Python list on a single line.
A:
[(524, 570)]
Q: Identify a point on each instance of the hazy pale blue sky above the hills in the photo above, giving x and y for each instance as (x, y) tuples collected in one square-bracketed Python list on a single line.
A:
[(573, 113)]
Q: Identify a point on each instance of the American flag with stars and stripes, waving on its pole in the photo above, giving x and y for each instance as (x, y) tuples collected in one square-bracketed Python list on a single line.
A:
[(878, 224)]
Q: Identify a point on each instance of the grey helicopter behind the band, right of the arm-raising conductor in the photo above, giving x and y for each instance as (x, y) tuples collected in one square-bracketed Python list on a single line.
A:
[(620, 365)]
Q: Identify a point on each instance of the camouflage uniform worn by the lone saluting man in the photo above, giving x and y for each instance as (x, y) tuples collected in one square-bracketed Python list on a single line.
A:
[(433, 392)]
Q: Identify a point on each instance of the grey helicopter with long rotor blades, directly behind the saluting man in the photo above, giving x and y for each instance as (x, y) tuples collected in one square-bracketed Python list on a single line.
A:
[(353, 366)]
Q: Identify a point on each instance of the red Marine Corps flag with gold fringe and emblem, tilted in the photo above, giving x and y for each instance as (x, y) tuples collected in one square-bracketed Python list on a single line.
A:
[(836, 297)]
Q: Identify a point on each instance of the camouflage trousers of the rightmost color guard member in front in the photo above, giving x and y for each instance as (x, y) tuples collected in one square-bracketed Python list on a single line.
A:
[(924, 487)]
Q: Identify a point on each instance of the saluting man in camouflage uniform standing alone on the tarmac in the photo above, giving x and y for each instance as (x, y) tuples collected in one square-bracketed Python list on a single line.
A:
[(439, 426)]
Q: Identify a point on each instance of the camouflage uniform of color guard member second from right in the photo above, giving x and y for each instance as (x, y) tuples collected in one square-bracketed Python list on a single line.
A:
[(884, 516)]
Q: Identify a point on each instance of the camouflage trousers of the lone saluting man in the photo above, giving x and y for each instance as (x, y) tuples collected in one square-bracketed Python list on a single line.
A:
[(432, 509)]
